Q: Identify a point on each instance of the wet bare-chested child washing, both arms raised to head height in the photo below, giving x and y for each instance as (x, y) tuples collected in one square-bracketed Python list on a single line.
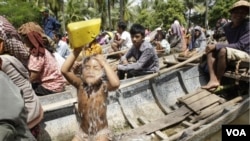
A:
[(96, 80)]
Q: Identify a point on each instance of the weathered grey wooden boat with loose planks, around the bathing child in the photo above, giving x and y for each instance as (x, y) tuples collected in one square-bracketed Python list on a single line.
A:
[(167, 106)]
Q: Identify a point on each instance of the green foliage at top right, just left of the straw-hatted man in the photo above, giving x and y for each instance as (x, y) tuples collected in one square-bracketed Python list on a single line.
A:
[(220, 10)]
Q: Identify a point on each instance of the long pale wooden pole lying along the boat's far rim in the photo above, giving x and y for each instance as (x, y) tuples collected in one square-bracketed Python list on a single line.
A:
[(147, 77)]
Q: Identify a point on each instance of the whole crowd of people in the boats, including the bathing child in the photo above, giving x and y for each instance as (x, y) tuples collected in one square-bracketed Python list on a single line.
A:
[(36, 61)]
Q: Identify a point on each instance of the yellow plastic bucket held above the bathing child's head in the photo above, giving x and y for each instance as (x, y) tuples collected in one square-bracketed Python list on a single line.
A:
[(83, 32)]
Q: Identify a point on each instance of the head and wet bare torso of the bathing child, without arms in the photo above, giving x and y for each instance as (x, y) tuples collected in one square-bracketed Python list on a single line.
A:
[(92, 96)]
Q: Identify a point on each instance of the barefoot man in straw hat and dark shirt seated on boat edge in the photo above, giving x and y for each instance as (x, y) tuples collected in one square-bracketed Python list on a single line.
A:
[(237, 34)]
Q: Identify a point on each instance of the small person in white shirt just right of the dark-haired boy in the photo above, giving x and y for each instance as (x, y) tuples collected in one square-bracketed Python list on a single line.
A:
[(161, 44)]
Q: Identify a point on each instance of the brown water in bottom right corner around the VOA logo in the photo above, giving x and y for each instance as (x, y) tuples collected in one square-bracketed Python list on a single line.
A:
[(243, 119)]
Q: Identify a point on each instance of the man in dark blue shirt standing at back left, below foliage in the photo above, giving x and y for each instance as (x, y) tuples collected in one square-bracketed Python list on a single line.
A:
[(49, 23)]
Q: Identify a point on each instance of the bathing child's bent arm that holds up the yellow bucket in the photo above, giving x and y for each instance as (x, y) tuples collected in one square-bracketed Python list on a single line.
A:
[(67, 65)]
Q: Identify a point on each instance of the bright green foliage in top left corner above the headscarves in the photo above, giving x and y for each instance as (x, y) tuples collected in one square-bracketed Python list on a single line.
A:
[(19, 12)]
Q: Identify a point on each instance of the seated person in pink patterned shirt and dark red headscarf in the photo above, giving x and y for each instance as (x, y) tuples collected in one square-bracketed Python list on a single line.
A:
[(45, 74)]
